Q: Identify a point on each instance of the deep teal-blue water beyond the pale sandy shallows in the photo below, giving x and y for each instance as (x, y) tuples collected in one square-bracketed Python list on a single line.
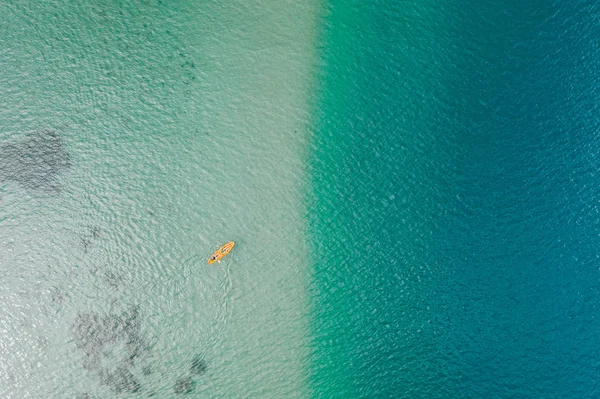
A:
[(455, 200)]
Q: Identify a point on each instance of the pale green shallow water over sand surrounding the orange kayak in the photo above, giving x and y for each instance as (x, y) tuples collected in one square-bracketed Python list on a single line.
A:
[(172, 129)]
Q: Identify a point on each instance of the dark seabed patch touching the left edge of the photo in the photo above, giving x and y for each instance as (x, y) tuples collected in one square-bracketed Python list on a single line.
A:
[(36, 162)]
